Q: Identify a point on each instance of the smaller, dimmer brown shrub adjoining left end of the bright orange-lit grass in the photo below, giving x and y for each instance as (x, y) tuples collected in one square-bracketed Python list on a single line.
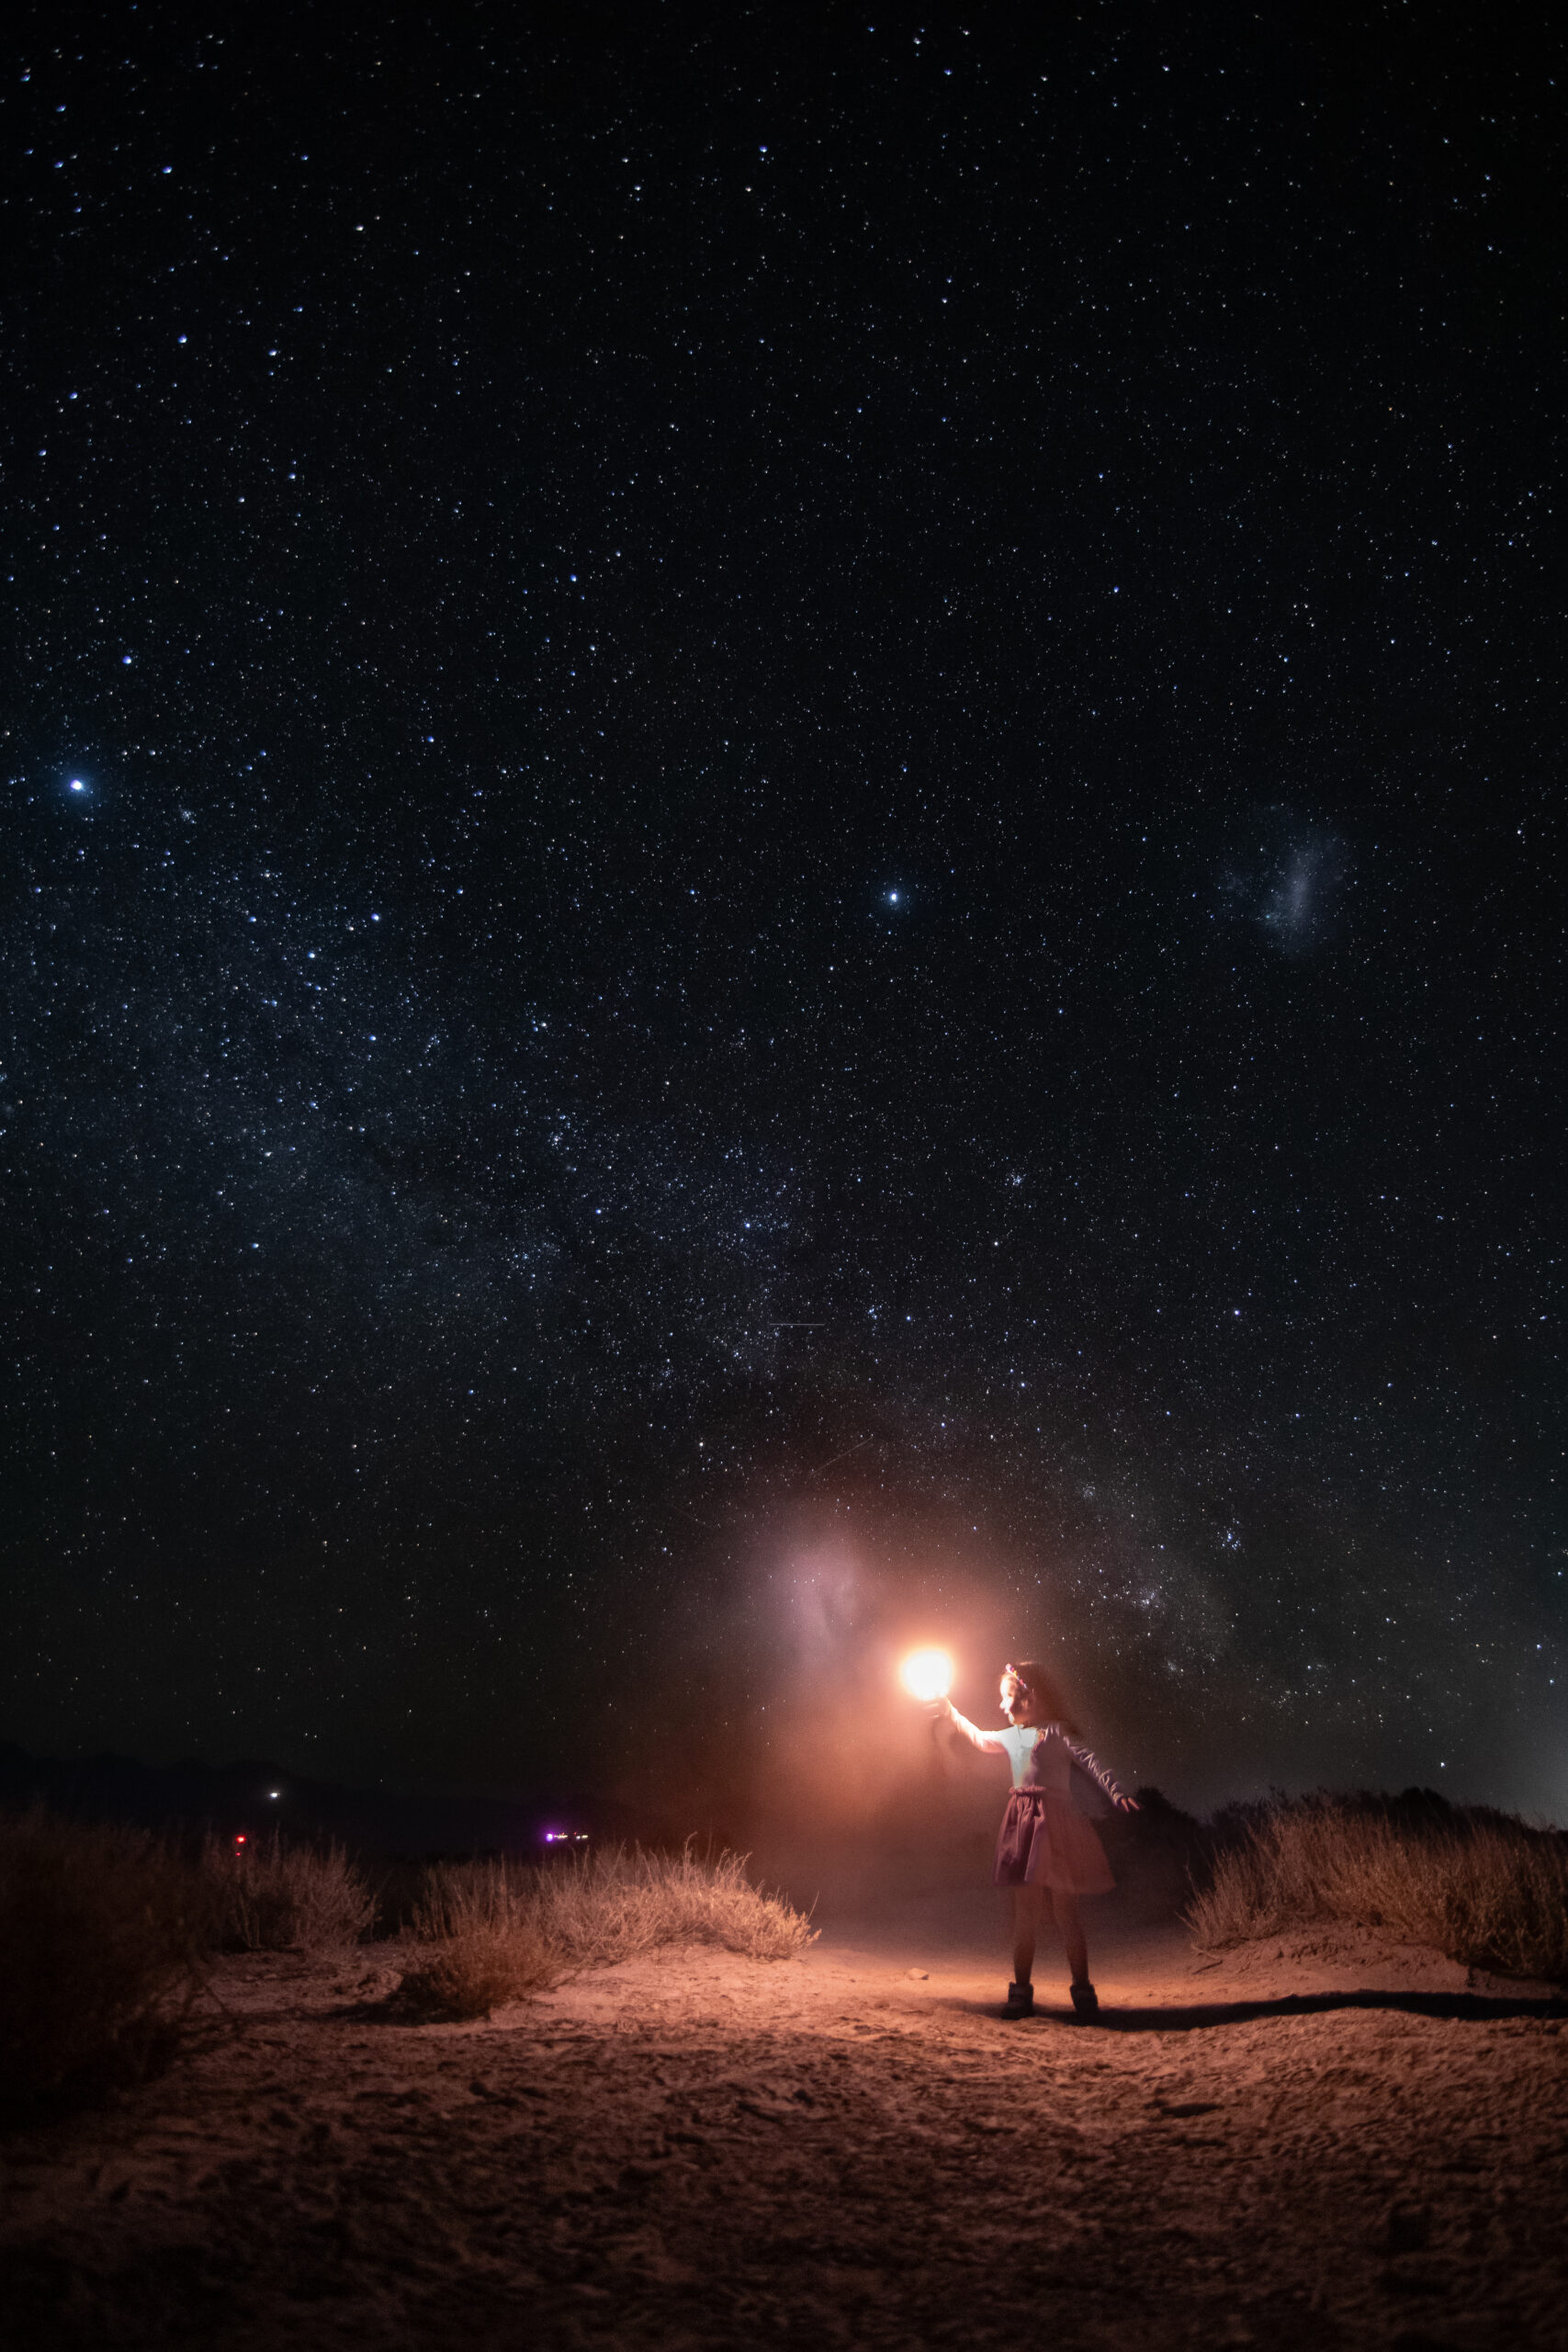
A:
[(481, 1942)]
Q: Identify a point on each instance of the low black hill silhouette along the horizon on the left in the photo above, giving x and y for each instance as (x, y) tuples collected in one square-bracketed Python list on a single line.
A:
[(232, 1798)]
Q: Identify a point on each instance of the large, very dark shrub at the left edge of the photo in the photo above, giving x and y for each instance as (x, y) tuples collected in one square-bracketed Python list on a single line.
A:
[(102, 1951)]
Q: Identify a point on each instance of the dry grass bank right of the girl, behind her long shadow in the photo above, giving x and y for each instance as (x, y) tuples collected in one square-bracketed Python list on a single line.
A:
[(1480, 1887)]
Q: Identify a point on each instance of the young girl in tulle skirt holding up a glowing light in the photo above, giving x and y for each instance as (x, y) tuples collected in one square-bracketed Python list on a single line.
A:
[(1045, 1845)]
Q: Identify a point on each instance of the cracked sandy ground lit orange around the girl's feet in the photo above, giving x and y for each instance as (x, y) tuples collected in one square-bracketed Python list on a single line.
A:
[(1315, 2141)]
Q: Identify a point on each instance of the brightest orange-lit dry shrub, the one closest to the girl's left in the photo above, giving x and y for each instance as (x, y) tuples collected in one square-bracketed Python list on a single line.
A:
[(610, 1906)]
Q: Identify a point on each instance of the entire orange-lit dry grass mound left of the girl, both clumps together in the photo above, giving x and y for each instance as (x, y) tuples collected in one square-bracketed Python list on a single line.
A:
[(495, 1935)]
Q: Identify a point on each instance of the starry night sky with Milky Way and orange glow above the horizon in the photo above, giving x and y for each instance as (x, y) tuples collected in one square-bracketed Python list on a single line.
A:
[(784, 862)]
